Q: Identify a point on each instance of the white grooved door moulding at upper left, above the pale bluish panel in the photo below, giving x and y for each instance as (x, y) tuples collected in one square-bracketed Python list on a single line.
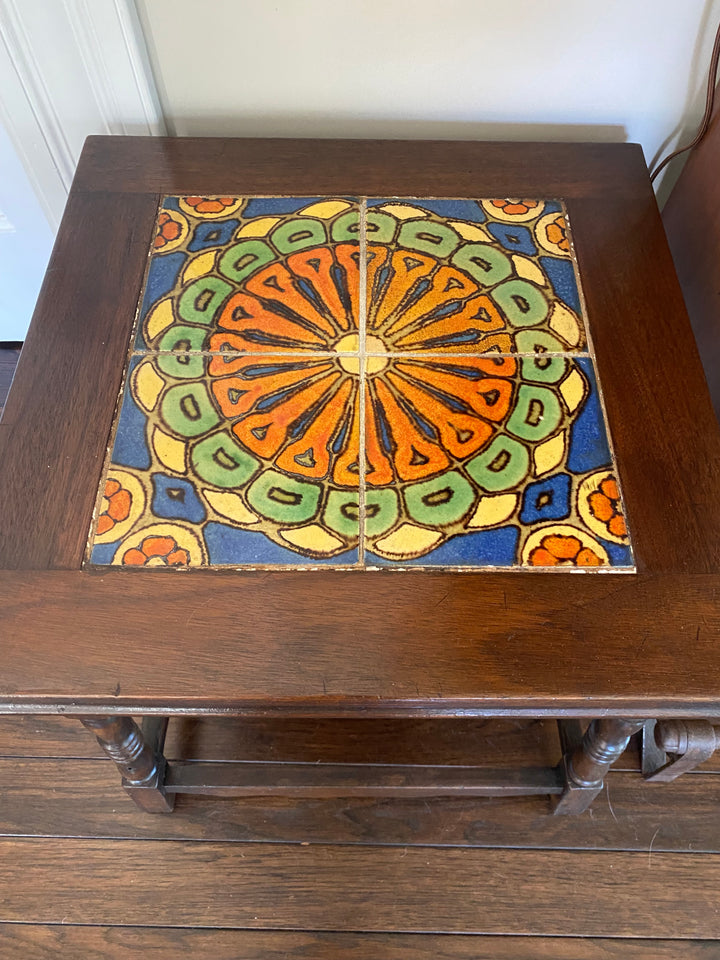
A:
[(70, 68)]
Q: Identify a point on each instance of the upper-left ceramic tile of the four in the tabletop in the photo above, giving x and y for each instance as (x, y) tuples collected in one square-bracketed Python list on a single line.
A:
[(264, 274)]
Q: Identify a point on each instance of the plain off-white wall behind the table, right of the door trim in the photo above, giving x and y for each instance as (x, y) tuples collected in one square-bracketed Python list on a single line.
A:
[(515, 69)]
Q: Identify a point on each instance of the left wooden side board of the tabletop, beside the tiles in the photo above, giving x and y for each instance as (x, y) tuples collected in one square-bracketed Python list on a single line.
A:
[(56, 423)]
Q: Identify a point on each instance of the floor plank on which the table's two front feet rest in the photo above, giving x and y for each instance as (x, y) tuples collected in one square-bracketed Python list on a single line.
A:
[(83, 798)]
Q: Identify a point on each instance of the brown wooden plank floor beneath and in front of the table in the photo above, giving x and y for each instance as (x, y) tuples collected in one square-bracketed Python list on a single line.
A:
[(84, 874)]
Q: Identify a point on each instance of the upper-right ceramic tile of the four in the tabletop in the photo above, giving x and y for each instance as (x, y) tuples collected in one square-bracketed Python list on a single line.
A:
[(469, 276)]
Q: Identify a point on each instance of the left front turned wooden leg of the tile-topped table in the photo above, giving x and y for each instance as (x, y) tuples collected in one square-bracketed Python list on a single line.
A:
[(142, 766)]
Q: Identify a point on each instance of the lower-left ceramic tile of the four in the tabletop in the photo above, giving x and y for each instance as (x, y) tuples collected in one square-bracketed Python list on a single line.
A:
[(257, 466)]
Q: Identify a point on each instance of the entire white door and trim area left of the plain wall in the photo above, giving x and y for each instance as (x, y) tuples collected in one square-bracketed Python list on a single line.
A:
[(68, 68)]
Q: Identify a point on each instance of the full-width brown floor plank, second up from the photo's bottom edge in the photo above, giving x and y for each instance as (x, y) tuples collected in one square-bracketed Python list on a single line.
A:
[(355, 888)]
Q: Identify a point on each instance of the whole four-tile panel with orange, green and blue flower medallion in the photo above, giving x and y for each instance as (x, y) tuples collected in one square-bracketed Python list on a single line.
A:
[(350, 383)]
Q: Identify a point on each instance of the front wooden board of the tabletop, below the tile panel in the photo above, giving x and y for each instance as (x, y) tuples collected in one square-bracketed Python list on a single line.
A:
[(263, 643)]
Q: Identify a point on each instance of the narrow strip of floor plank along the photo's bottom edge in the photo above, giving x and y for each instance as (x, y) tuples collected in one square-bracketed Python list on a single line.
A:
[(33, 942)]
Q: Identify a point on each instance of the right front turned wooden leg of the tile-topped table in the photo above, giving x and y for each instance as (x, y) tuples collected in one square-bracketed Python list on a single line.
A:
[(585, 765)]
